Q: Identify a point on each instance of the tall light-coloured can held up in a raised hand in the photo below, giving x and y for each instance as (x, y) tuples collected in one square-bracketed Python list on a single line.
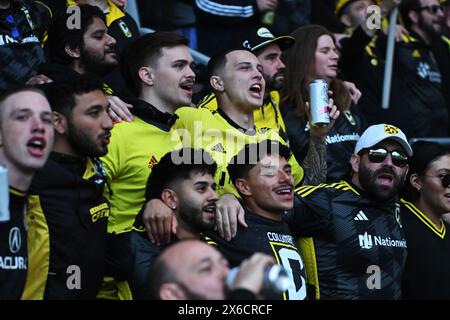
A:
[(318, 102)]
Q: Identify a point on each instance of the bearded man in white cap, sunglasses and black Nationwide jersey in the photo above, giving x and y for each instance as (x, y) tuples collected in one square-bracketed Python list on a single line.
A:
[(351, 234)]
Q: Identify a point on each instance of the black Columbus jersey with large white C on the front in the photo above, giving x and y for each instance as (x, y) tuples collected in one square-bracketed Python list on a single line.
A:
[(270, 237)]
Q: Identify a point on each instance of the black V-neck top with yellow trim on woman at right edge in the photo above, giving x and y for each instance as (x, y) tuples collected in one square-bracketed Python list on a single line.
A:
[(426, 274)]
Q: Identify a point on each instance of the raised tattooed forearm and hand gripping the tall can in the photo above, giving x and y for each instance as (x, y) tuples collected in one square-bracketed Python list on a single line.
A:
[(315, 162)]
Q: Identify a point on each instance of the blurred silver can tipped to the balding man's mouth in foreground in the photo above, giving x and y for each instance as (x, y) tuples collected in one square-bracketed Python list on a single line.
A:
[(276, 279)]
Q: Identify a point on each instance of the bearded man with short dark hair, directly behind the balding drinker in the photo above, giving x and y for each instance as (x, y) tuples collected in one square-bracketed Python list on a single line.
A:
[(188, 188)]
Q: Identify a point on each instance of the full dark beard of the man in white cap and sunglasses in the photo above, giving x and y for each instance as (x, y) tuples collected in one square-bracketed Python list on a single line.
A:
[(367, 179)]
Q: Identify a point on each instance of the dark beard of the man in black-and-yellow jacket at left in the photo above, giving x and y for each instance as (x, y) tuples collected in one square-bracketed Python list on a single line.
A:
[(83, 144)]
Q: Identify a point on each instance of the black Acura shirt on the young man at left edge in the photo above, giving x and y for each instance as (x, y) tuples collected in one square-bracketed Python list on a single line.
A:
[(13, 249)]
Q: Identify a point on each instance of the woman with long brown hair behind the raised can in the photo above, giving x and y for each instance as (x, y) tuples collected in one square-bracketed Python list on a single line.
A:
[(314, 56)]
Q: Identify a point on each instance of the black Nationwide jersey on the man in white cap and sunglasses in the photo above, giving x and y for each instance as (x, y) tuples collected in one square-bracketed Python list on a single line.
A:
[(358, 248)]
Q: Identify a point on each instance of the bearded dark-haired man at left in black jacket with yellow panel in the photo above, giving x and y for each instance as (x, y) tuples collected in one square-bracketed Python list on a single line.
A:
[(67, 212)]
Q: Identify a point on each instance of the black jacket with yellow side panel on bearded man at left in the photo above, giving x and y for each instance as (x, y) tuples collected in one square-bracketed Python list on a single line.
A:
[(68, 216)]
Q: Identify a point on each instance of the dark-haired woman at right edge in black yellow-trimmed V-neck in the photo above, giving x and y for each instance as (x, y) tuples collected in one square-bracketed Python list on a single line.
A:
[(426, 198)]
